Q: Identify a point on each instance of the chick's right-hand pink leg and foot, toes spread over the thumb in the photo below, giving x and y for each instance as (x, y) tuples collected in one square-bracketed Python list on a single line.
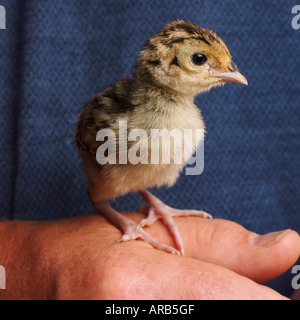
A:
[(158, 210)]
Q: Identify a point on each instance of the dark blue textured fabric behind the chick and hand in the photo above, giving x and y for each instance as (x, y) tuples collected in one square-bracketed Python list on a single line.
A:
[(55, 55)]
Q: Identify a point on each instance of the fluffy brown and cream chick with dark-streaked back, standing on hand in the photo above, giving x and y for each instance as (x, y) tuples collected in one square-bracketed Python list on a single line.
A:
[(176, 64)]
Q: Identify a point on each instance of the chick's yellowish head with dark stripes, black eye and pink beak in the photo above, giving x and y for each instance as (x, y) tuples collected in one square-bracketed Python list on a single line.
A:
[(187, 59)]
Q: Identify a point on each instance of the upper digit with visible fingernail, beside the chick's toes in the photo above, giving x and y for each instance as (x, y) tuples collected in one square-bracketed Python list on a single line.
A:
[(230, 245)]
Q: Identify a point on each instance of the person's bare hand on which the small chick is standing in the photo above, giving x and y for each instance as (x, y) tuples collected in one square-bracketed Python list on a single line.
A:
[(80, 258)]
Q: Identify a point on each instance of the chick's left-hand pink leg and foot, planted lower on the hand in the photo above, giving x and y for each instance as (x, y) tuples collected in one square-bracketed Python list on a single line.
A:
[(129, 228)]
